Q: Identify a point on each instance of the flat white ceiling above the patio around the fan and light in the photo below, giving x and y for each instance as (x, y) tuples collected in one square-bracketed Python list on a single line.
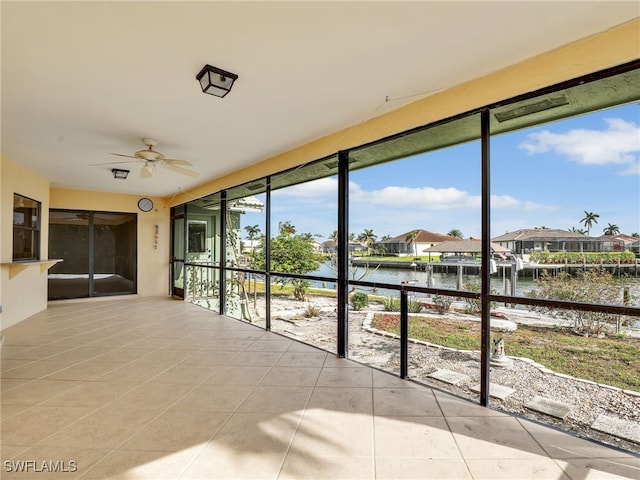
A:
[(83, 79)]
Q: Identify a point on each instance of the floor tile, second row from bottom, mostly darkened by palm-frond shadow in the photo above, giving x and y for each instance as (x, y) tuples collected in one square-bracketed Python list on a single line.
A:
[(259, 433)]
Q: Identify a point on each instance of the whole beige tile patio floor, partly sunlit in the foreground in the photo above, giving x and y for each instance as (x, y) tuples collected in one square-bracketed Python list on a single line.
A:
[(155, 388)]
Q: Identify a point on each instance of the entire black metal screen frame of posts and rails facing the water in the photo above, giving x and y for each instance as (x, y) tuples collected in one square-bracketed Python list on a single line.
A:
[(484, 295)]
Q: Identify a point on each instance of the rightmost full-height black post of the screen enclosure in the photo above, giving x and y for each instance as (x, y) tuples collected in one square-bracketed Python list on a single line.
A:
[(485, 340)]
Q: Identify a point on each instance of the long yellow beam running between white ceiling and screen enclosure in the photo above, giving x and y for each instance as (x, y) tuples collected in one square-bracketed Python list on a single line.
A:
[(607, 49)]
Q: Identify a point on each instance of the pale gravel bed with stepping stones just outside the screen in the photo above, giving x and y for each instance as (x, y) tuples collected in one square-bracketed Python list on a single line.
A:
[(587, 399)]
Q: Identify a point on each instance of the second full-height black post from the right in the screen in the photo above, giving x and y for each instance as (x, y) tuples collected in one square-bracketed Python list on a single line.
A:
[(343, 252)]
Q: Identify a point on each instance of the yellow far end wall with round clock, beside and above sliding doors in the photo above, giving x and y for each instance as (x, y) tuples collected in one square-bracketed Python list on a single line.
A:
[(153, 266)]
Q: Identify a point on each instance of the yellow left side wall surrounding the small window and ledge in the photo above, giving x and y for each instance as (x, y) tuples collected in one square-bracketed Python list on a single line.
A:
[(23, 293)]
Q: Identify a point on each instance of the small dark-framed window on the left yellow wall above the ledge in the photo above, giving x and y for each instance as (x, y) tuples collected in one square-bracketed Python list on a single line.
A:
[(26, 228)]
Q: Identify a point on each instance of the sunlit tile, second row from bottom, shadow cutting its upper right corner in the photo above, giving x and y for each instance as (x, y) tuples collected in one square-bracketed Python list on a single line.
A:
[(414, 437)]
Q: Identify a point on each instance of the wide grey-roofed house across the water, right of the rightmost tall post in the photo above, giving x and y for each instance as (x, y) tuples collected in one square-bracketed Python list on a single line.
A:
[(529, 240)]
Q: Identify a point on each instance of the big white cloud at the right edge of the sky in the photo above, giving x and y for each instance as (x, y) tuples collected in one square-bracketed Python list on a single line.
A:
[(618, 144)]
